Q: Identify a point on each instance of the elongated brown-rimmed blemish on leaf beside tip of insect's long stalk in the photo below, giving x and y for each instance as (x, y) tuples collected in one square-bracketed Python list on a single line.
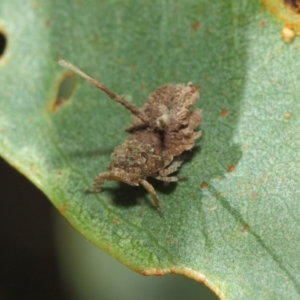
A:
[(65, 89)]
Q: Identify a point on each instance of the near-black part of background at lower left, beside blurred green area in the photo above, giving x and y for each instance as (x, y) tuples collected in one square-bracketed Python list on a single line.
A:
[(28, 265)]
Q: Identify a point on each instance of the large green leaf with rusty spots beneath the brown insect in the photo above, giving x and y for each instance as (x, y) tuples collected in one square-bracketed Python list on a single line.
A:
[(234, 223)]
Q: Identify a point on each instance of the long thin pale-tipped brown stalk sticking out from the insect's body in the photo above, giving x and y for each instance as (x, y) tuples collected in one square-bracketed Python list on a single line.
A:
[(132, 108)]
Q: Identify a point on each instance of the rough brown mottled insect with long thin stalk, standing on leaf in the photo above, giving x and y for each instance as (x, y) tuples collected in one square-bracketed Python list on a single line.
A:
[(161, 131)]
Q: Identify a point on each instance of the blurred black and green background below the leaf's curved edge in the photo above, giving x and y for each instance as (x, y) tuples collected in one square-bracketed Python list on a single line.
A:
[(42, 257)]
